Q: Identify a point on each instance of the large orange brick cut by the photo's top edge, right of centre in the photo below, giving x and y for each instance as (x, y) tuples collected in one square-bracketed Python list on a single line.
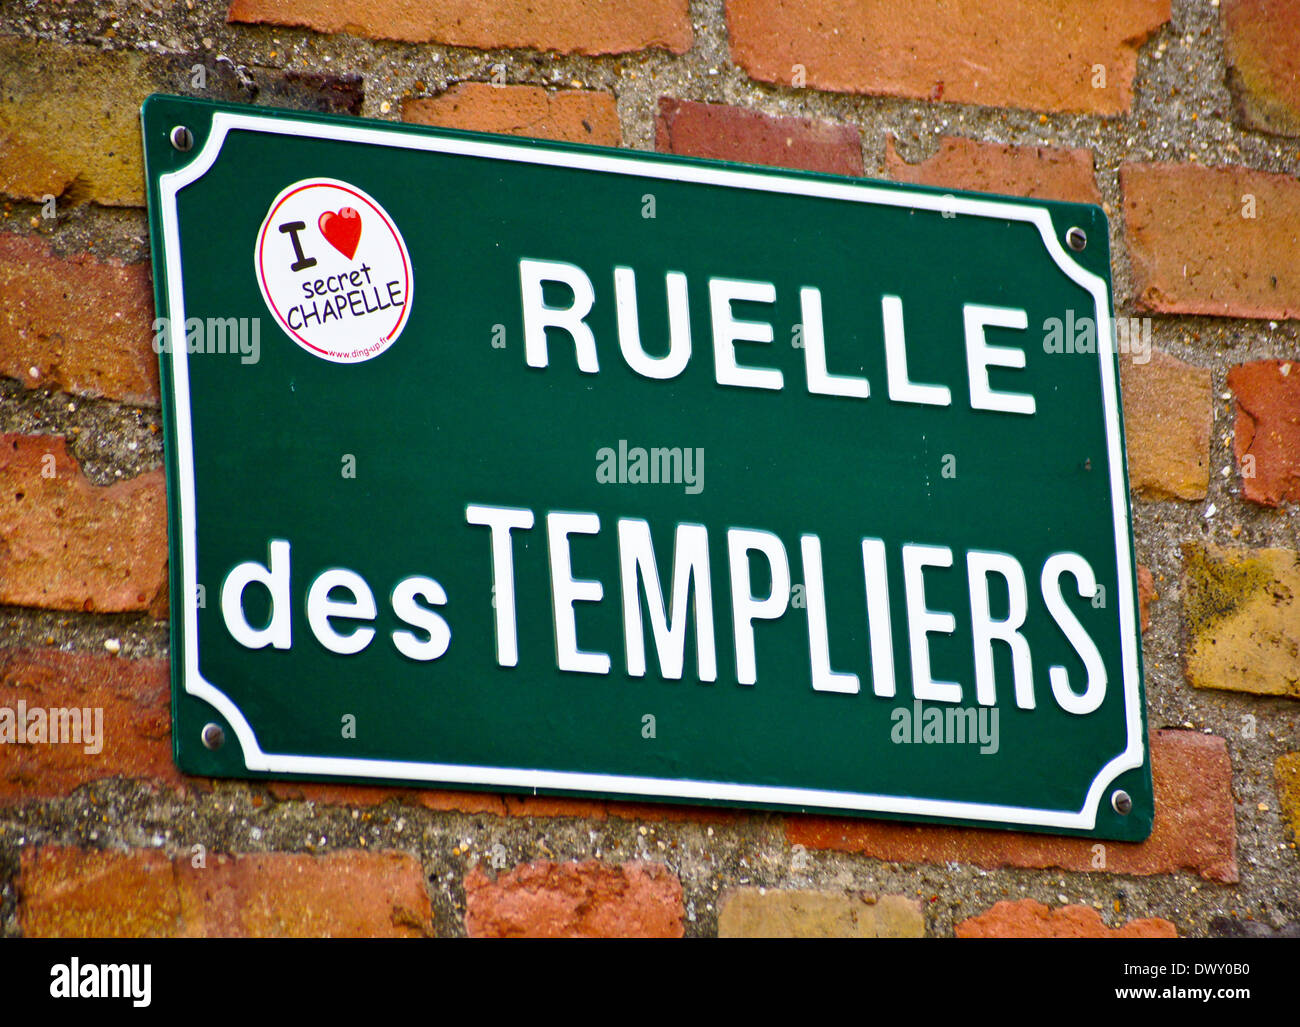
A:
[(1015, 54)]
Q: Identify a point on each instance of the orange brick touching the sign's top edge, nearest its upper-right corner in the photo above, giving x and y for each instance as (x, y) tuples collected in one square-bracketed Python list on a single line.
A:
[(1017, 171)]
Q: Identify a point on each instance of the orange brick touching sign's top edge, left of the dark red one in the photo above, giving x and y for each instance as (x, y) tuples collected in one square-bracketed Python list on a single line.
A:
[(571, 116)]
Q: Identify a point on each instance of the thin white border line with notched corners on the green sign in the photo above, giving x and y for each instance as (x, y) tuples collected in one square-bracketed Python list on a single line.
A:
[(642, 167)]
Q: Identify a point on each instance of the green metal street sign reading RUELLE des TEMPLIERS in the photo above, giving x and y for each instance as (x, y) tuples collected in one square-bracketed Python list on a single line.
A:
[(510, 465)]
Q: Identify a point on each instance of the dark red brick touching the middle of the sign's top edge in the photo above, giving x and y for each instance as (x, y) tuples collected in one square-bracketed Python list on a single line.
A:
[(734, 133)]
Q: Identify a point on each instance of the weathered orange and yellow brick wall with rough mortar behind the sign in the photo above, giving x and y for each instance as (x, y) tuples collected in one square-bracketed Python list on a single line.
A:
[(1182, 120)]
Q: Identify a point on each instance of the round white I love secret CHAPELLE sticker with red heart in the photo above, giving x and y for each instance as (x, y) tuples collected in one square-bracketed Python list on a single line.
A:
[(335, 271)]
